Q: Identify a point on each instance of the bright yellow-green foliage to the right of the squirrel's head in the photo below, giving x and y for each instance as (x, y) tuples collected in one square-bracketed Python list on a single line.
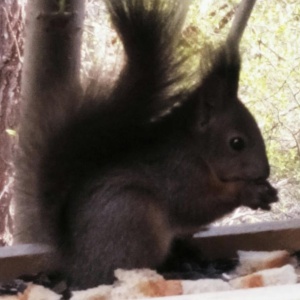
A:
[(271, 81)]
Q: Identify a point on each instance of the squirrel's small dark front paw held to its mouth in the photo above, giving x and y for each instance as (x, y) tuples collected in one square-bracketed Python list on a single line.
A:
[(259, 195)]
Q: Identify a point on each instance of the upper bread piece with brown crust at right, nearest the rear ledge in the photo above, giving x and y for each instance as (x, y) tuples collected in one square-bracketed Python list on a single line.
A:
[(253, 261)]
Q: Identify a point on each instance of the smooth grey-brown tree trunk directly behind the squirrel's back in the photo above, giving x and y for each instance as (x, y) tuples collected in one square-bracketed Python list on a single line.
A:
[(50, 76)]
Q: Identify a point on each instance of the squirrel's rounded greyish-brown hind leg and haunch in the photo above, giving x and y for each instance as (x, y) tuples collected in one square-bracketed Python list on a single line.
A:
[(128, 230)]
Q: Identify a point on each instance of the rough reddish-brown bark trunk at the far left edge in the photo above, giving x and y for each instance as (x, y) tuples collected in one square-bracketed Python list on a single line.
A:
[(11, 53)]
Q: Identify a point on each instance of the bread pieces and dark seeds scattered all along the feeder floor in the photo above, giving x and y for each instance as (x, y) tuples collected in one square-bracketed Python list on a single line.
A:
[(254, 269)]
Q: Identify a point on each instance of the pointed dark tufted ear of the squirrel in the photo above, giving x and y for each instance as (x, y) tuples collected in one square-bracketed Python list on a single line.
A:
[(219, 87)]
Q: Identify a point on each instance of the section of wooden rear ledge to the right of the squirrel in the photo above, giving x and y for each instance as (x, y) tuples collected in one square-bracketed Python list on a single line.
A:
[(223, 242)]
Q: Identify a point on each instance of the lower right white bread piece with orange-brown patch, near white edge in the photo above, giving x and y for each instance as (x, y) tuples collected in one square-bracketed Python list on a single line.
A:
[(269, 277)]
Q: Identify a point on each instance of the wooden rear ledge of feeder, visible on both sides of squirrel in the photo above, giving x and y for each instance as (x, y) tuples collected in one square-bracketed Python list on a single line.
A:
[(216, 242)]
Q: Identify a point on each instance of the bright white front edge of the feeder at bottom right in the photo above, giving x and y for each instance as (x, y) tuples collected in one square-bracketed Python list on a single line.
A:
[(283, 292)]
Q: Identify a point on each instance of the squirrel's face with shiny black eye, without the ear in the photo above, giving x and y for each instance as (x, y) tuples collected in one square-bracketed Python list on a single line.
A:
[(234, 146)]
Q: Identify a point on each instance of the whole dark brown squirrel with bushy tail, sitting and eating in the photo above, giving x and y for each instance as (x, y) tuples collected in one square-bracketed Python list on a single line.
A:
[(120, 179)]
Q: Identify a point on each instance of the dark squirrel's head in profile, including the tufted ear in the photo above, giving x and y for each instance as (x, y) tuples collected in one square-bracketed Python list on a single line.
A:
[(230, 139)]
